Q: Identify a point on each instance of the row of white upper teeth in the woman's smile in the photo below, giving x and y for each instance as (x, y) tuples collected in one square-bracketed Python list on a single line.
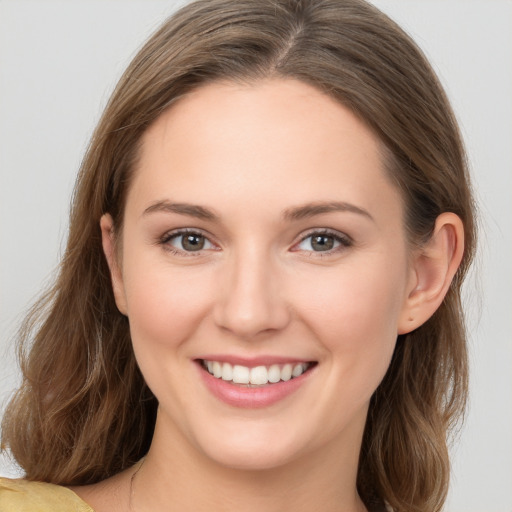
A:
[(258, 376)]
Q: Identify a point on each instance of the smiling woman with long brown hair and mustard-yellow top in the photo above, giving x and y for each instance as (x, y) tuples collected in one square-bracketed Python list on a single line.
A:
[(259, 305)]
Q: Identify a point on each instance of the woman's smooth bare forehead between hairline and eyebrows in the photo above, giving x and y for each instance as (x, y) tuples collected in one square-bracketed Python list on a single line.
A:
[(276, 141)]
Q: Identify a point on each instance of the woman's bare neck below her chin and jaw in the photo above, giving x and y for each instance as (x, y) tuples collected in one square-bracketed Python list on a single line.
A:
[(177, 476)]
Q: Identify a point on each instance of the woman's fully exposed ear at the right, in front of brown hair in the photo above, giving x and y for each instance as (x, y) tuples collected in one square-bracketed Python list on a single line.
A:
[(432, 271)]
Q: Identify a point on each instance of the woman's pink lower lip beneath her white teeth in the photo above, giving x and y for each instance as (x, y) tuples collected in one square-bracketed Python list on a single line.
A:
[(251, 398)]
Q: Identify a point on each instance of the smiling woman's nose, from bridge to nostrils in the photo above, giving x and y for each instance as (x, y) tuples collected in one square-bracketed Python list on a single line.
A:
[(251, 299)]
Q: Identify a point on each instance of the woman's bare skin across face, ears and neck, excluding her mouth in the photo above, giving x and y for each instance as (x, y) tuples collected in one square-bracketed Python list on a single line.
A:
[(251, 154)]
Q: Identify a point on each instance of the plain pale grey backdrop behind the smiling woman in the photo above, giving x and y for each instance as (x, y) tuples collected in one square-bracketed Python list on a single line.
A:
[(59, 60)]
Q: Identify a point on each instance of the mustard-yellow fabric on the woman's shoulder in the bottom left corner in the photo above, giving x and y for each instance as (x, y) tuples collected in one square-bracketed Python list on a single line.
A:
[(24, 496)]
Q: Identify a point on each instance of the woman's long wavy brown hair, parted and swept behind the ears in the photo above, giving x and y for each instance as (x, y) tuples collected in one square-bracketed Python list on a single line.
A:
[(83, 411)]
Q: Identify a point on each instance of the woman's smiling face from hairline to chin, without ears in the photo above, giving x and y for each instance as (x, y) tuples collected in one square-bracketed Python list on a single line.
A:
[(263, 243)]
